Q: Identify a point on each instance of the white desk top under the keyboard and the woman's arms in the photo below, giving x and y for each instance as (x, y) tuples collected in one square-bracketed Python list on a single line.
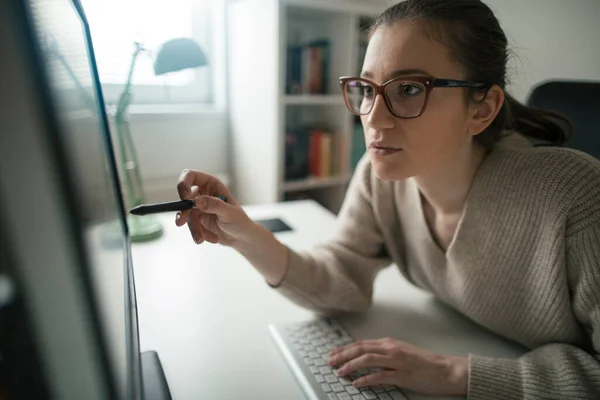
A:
[(205, 310)]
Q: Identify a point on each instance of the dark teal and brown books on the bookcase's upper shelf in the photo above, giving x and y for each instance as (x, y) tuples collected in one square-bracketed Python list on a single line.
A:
[(308, 67)]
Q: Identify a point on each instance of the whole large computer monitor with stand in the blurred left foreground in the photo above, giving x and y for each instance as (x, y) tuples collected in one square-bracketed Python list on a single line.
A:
[(68, 314)]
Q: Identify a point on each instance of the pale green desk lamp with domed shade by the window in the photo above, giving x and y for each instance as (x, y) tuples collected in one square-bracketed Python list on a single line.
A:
[(174, 55)]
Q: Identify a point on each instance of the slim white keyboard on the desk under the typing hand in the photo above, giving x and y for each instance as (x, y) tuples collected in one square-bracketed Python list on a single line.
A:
[(305, 346)]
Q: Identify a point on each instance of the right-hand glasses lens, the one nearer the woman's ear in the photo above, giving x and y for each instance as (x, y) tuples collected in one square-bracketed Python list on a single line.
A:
[(406, 98)]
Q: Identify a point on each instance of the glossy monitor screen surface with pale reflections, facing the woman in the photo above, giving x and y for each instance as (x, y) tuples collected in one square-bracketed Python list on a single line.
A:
[(61, 30)]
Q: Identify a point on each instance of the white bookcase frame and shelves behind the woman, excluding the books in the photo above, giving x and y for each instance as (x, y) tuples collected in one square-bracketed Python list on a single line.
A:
[(260, 127)]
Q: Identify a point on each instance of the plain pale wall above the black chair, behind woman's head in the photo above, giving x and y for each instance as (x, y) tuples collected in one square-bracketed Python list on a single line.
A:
[(551, 39)]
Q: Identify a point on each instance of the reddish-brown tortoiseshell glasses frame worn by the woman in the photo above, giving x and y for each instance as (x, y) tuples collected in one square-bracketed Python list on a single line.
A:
[(428, 81)]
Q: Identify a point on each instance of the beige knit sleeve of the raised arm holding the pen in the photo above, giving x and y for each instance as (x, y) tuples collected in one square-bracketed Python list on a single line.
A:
[(338, 275)]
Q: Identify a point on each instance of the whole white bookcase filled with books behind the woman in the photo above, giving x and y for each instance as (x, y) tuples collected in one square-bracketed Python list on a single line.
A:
[(291, 134)]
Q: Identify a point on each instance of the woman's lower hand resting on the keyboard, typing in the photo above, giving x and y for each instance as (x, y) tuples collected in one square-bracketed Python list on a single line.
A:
[(404, 365)]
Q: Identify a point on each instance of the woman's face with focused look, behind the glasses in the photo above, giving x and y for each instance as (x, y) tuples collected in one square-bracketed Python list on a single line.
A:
[(433, 140)]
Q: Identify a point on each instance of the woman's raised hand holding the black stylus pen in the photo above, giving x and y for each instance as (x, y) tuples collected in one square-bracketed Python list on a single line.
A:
[(213, 219)]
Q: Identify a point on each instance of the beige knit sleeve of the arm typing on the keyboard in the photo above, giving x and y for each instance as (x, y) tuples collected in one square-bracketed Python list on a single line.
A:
[(554, 371)]
